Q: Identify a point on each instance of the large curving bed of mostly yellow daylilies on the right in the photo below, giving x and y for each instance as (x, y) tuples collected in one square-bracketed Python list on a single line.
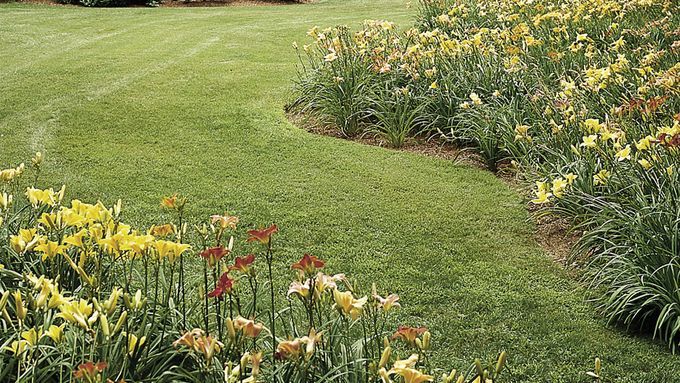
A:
[(579, 98)]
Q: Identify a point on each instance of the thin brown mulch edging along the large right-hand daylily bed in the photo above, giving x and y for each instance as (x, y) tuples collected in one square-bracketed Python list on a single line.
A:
[(553, 233)]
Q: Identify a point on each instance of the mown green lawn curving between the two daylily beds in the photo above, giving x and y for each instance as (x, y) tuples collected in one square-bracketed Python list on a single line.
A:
[(139, 103)]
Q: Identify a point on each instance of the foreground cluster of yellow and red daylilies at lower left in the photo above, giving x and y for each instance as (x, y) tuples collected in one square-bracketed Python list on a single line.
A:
[(85, 297)]
